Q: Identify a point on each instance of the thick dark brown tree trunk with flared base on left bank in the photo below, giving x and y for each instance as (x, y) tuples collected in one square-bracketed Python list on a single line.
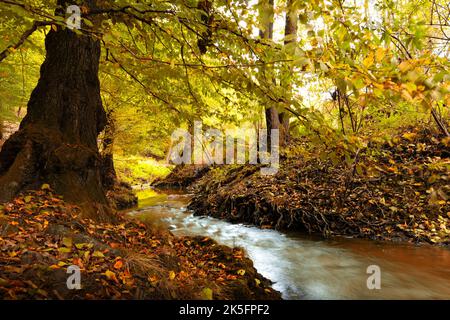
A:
[(57, 140)]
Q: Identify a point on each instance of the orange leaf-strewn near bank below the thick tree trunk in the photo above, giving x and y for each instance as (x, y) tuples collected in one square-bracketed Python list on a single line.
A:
[(41, 236)]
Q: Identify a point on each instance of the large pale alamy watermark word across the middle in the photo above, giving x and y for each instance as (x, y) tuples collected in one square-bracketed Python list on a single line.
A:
[(216, 147)]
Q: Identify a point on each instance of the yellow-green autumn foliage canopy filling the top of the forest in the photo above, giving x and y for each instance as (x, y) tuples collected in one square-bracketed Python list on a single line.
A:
[(165, 64)]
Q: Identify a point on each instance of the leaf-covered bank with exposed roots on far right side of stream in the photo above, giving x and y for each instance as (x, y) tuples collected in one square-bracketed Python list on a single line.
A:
[(399, 192)]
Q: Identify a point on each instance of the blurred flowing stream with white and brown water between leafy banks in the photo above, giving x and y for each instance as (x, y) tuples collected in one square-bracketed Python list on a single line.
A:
[(304, 267)]
